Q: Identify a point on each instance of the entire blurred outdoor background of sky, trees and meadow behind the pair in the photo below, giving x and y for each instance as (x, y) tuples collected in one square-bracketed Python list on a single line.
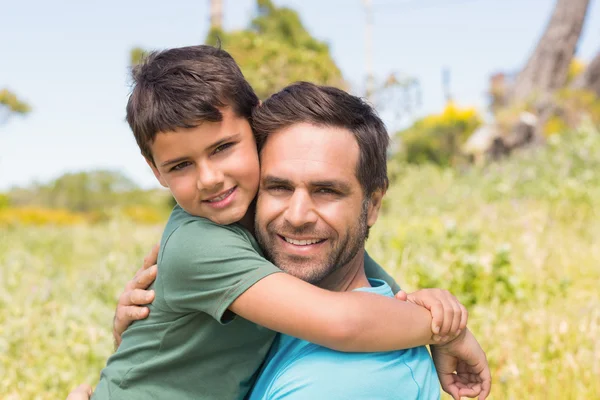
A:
[(494, 112)]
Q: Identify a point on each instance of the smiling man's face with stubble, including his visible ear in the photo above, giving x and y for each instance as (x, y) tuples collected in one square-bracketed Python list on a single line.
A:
[(311, 215)]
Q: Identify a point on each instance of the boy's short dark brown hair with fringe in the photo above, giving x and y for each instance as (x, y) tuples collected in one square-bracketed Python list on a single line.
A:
[(182, 87)]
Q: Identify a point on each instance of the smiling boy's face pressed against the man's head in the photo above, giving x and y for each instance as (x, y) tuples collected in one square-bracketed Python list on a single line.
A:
[(212, 170)]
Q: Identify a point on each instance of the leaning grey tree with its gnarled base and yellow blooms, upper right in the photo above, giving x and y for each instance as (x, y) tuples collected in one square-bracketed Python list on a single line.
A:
[(524, 108)]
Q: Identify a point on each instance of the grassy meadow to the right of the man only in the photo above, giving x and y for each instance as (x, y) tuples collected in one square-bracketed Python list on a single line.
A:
[(518, 242)]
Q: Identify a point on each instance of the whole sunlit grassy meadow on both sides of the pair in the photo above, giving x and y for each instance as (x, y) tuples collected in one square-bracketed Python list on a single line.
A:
[(518, 242)]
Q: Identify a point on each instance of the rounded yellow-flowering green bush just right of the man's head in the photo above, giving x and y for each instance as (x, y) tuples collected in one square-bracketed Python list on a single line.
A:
[(438, 138)]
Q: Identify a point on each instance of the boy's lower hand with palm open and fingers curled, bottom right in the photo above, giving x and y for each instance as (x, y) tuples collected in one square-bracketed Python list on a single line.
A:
[(462, 367)]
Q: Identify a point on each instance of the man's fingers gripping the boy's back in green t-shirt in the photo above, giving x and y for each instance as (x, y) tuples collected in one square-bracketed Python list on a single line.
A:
[(135, 296)]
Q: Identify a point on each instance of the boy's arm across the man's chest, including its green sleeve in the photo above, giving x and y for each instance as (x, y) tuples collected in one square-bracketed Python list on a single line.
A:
[(215, 269)]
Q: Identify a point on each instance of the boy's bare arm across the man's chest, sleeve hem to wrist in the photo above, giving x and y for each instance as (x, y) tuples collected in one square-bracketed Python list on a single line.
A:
[(344, 321)]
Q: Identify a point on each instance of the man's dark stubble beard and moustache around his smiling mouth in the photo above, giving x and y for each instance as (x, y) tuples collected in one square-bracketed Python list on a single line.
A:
[(314, 272)]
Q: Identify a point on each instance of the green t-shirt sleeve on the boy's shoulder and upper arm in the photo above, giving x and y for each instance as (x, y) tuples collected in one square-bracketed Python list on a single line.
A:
[(205, 267)]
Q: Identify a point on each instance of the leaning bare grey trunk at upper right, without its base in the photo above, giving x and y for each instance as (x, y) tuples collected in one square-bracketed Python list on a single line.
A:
[(548, 66)]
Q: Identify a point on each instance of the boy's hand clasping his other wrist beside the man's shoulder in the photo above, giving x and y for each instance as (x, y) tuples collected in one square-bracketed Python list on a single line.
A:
[(449, 317)]
